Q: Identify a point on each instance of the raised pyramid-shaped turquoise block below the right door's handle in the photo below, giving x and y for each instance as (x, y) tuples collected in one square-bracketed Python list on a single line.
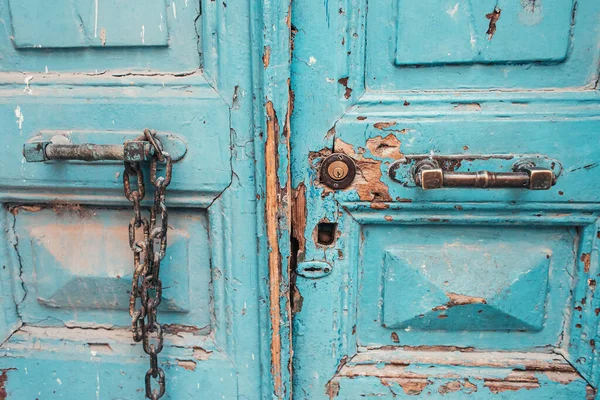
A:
[(443, 295)]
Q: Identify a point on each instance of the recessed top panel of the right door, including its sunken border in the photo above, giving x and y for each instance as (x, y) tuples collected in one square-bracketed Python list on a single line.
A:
[(434, 45)]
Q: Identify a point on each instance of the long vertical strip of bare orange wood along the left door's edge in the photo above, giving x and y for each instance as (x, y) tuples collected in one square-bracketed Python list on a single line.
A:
[(274, 260)]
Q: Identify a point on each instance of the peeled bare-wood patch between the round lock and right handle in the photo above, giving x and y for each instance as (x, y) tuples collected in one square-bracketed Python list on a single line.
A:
[(367, 183)]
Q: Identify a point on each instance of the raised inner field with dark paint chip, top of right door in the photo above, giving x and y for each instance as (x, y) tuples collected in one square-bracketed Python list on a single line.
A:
[(465, 32)]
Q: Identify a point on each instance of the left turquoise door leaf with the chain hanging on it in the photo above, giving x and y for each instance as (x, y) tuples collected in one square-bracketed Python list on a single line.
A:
[(100, 72)]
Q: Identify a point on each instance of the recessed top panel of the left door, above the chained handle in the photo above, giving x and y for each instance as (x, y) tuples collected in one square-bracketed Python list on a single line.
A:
[(101, 36)]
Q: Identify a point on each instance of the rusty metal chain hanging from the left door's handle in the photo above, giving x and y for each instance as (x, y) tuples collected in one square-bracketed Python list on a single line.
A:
[(148, 253)]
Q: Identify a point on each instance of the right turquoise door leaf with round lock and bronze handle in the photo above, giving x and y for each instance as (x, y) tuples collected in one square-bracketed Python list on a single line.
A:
[(423, 276)]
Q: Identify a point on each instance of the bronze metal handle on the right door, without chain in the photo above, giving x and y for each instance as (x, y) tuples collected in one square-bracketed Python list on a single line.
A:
[(429, 175)]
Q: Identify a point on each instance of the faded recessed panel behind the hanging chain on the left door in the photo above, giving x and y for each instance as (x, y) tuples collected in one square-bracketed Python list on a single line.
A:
[(92, 285)]
